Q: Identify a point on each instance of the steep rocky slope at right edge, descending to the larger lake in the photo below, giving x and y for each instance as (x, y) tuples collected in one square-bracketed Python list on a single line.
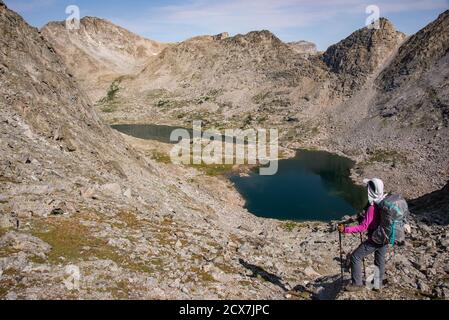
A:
[(399, 121)]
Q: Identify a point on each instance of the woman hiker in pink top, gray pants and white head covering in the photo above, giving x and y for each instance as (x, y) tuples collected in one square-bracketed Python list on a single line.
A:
[(370, 223)]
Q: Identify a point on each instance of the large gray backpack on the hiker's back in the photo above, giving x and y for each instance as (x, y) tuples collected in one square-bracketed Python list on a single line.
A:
[(394, 212)]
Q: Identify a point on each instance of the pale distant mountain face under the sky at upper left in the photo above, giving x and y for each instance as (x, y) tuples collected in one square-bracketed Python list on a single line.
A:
[(99, 52)]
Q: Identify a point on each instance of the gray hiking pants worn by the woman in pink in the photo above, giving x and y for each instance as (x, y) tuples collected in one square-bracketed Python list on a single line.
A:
[(361, 252)]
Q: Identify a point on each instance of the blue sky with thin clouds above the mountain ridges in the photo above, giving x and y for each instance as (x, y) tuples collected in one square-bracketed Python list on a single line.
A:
[(323, 22)]
